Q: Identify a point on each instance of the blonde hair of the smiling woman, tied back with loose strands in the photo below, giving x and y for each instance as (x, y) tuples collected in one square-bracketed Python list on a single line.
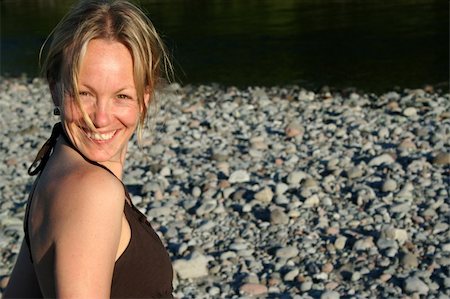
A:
[(115, 20)]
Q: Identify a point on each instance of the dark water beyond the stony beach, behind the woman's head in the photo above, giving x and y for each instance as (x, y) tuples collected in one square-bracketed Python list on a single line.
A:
[(370, 45)]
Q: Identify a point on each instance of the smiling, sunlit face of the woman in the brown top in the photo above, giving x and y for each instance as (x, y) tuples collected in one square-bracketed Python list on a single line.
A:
[(108, 95)]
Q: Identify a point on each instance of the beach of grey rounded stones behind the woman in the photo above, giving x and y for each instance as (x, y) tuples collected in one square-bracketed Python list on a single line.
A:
[(272, 192)]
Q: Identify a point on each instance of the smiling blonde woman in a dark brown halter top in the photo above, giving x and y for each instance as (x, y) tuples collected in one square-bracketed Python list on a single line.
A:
[(83, 236)]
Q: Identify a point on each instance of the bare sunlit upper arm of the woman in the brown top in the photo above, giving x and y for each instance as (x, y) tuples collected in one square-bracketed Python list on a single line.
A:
[(86, 229)]
